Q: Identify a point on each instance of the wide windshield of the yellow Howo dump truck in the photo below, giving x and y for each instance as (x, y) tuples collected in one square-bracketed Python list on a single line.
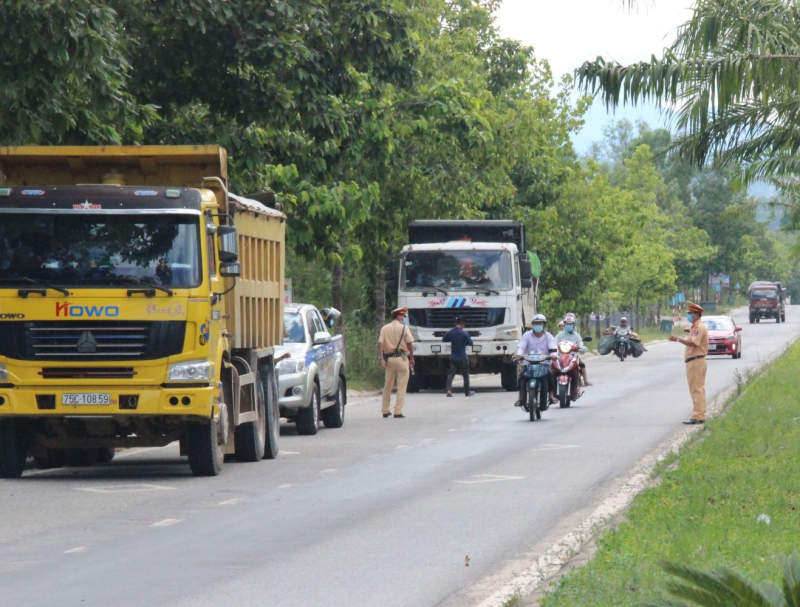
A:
[(100, 250)]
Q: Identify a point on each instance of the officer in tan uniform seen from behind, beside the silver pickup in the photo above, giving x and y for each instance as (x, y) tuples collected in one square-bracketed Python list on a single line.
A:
[(397, 357)]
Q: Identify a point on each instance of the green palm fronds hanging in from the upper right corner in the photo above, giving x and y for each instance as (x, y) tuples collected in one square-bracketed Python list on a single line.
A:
[(733, 78)]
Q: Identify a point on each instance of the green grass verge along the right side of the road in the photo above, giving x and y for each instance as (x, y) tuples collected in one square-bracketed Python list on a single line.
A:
[(704, 512)]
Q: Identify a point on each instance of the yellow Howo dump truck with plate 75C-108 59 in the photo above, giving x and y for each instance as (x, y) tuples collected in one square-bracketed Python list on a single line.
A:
[(139, 305)]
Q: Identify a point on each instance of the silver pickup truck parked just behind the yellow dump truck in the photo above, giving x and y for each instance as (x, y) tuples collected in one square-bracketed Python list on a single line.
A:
[(311, 382)]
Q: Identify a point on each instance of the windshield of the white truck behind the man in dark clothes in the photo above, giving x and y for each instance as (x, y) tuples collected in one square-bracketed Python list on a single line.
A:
[(457, 270)]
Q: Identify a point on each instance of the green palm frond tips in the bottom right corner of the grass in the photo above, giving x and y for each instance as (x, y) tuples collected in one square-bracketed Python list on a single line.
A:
[(726, 588)]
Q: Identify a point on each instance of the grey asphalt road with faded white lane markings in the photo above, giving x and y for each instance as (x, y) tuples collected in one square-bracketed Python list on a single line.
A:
[(380, 512)]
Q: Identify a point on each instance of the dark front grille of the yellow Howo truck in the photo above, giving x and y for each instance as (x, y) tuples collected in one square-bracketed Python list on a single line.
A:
[(91, 341)]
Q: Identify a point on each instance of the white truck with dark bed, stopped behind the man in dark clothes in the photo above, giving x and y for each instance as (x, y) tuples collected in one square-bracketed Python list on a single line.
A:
[(474, 270)]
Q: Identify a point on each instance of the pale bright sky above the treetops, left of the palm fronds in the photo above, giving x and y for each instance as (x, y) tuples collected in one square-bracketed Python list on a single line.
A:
[(569, 32)]
